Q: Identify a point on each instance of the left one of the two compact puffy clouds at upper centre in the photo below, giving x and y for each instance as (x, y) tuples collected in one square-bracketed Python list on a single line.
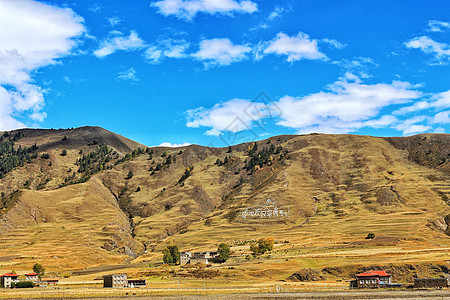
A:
[(221, 52)]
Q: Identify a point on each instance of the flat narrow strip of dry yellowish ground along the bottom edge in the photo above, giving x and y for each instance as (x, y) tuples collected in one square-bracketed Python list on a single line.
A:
[(93, 294)]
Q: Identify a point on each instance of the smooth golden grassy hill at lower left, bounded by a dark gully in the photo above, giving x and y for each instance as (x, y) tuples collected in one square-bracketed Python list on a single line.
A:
[(68, 228)]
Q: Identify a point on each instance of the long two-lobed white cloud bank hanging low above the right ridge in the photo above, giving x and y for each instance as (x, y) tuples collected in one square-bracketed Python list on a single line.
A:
[(346, 106)]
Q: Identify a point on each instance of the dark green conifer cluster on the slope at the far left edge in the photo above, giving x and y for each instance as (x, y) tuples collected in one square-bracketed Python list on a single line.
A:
[(10, 157)]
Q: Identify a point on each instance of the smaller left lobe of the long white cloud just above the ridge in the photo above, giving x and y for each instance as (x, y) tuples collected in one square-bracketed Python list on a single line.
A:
[(232, 116)]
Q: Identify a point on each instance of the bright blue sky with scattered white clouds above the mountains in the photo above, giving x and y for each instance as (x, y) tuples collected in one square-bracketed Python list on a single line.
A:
[(219, 72)]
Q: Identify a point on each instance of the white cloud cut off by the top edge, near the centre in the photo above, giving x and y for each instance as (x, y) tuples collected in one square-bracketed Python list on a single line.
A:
[(188, 9)]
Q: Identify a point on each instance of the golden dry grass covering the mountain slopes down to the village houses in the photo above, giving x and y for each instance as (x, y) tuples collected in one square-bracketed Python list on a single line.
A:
[(338, 188)]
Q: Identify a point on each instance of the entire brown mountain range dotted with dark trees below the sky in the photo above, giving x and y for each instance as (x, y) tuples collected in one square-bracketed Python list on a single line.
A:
[(109, 200)]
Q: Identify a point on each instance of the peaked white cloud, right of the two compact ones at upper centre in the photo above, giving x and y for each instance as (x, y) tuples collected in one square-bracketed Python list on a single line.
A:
[(296, 47)]
